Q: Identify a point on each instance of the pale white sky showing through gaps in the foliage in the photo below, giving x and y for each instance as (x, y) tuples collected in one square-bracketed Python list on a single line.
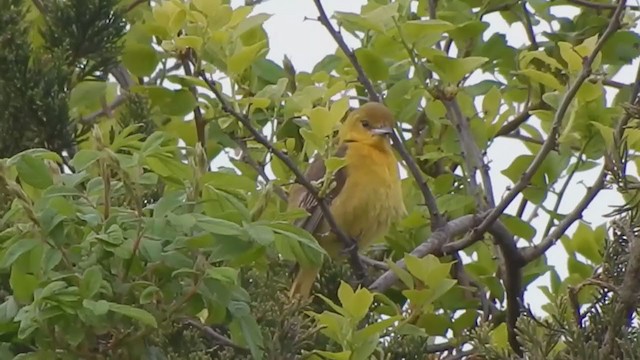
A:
[(292, 32)]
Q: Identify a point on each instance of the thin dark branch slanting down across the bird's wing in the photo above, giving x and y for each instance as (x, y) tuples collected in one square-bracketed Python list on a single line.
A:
[(350, 245)]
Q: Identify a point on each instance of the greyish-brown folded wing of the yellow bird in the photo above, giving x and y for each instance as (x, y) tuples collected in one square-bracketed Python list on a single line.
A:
[(301, 198)]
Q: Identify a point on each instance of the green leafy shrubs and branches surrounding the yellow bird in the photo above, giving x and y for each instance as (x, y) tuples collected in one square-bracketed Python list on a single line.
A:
[(120, 241)]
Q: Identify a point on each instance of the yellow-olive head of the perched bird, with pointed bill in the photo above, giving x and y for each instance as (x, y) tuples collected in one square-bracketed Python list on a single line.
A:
[(371, 124)]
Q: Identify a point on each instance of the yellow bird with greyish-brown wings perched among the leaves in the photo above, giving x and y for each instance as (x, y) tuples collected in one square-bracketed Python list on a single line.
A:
[(367, 196)]
